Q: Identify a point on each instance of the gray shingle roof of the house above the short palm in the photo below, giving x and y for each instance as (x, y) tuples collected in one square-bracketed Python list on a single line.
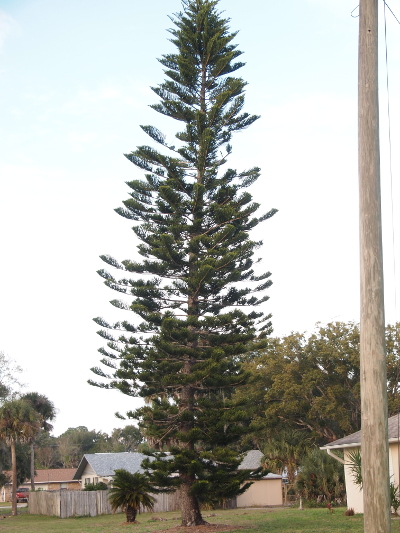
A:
[(104, 464)]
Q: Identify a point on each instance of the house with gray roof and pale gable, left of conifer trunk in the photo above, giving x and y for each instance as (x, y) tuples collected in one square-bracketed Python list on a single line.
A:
[(100, 467)]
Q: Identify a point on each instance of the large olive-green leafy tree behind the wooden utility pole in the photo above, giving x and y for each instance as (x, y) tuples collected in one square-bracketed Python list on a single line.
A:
[(312, 383)]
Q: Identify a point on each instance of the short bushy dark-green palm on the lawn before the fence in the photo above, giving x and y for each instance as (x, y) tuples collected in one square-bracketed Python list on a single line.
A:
[(131, 491)]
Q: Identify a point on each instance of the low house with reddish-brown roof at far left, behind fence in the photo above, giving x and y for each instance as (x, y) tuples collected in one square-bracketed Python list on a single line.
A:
[(45, 479)]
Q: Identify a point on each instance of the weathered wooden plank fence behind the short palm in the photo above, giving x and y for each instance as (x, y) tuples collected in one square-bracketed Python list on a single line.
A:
[(68, 503)]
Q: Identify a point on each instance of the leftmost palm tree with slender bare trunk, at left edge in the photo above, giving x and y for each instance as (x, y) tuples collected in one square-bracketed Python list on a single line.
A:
[(19, 422)]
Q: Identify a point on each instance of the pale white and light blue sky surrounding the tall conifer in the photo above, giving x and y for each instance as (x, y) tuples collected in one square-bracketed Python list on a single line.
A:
[(74, 87)]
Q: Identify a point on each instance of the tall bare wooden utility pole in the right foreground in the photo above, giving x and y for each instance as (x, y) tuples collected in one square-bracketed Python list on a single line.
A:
[(374, 412)]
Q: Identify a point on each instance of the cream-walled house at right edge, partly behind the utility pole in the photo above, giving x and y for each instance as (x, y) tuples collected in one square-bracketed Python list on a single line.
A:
[(352, 443)]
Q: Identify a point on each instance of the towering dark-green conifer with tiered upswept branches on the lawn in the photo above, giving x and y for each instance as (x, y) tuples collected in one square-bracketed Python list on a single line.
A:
[(193, 217)]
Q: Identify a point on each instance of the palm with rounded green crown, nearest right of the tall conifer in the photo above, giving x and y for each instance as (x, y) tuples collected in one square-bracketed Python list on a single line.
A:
[(286, 450)]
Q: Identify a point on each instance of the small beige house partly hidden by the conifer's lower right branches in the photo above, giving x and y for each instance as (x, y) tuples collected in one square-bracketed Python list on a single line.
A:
[(264, 492)]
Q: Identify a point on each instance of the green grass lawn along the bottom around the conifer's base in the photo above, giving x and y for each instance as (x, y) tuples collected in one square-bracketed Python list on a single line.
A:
[(286, 520)]
